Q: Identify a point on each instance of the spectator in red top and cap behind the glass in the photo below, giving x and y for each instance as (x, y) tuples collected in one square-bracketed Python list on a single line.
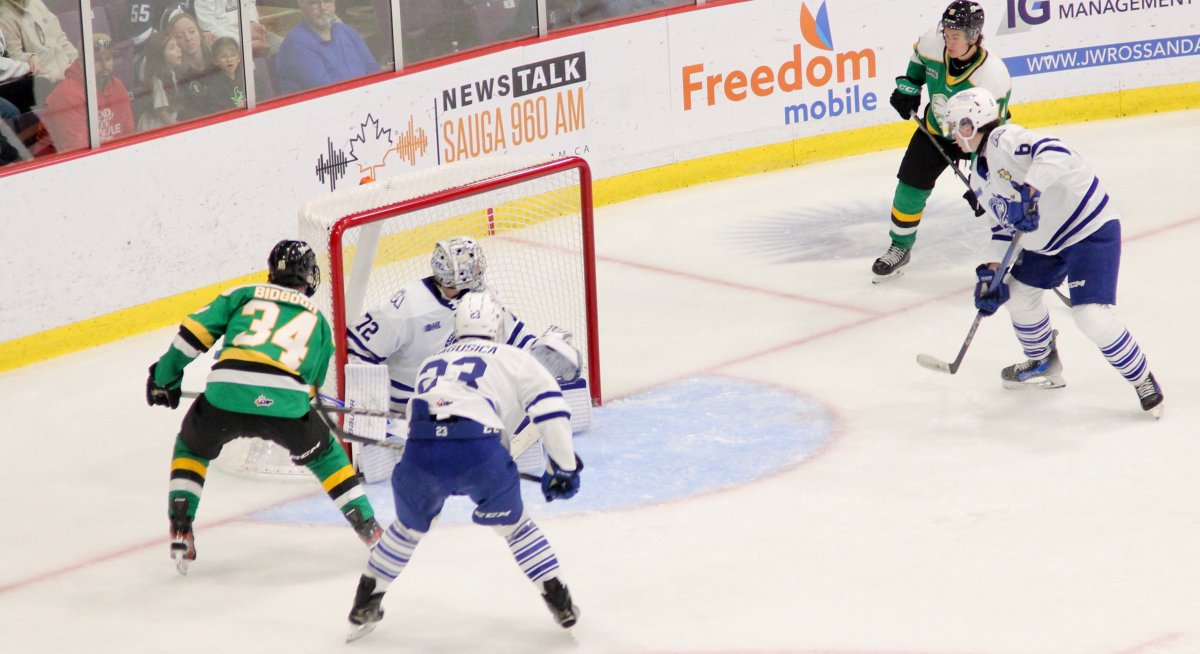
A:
[(67, 110)]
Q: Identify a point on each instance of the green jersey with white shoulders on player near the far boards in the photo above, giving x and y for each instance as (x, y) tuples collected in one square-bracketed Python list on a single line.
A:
[(929, 65)]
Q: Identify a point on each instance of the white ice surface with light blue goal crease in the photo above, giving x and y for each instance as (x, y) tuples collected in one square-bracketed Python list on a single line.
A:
[(772, 472)]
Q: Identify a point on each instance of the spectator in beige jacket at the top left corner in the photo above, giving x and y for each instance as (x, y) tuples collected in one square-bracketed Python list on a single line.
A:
[(35, 37)]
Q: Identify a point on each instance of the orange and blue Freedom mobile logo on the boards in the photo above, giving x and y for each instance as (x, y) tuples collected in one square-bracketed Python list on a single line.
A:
[(800, 73)]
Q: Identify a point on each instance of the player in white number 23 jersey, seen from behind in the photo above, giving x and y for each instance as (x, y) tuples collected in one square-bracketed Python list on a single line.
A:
[(467, 395)]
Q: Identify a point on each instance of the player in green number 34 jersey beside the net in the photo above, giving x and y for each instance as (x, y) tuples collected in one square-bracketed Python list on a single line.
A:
[(277, 352)]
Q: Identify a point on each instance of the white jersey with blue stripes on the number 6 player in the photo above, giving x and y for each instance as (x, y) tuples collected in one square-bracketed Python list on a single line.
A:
[(1073, 206)]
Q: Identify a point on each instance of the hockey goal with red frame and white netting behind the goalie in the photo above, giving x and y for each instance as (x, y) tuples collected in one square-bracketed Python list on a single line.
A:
[(533, 219)]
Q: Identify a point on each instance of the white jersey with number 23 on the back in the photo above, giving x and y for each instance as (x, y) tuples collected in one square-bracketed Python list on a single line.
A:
[(500, 387)]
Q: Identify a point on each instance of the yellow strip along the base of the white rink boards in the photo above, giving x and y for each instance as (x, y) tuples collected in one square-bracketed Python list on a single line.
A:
[(159, 314)]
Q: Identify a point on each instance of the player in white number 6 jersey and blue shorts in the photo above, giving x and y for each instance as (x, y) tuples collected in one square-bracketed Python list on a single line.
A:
[(1070, 230)]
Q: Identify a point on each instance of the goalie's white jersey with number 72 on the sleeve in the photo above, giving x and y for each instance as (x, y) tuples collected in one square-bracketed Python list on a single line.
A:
[(415, 325)]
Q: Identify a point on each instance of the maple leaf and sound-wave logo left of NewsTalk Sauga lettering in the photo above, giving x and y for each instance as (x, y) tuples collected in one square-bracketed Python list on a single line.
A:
[(370, 151)]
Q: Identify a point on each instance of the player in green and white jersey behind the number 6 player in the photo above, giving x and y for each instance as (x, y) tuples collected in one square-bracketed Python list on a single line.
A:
[(946, 61)]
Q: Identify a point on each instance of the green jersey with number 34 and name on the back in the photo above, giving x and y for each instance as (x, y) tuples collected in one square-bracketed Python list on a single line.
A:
[(278, 346)]
